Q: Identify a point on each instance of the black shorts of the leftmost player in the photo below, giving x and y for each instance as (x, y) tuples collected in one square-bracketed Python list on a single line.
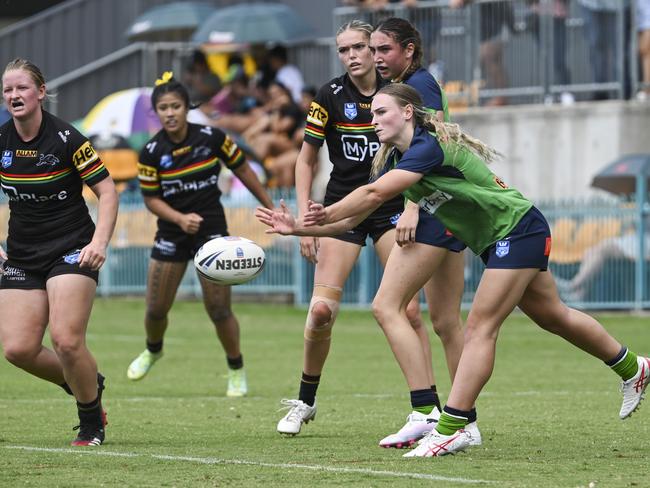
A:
[(18, 278)]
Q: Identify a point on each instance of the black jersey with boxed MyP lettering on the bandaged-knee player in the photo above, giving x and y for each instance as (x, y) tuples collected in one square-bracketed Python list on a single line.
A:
[(341, 115)]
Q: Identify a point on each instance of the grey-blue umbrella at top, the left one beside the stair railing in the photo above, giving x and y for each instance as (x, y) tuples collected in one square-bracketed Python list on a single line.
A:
[(172, 22)]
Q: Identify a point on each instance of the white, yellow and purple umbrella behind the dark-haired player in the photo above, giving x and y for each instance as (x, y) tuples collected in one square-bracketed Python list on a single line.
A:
[(125, 113)]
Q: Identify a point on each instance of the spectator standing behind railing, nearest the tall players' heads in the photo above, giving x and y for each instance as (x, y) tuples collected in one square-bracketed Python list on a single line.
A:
[(493, 17)]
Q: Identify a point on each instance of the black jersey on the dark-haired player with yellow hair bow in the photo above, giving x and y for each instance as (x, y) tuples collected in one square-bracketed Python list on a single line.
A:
[(185, 175)]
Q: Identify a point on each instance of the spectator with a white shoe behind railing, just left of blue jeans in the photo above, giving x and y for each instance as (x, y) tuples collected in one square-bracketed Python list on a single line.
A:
[(558, 10)]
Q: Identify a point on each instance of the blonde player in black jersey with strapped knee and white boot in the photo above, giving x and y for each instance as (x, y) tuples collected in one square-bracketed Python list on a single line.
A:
[(340, 115)]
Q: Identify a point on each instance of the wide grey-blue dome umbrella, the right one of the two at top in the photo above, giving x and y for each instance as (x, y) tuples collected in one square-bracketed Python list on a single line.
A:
[(252, 23)]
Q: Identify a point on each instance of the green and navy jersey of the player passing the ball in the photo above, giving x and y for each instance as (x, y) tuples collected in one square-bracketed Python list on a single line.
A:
[(459, 189)]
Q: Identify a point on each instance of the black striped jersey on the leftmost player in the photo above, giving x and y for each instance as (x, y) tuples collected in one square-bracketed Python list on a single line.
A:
[(43, 180)]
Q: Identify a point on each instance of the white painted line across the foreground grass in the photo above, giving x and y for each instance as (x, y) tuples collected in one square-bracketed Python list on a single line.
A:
[(242, 462)]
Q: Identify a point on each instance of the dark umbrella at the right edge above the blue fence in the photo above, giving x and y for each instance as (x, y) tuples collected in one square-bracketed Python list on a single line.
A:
[(620, 176)]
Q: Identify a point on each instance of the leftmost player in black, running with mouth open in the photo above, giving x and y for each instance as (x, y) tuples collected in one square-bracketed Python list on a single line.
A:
[(54, 251)]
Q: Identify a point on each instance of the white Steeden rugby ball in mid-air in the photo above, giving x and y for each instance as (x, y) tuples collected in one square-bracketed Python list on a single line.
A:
[(229, 260)]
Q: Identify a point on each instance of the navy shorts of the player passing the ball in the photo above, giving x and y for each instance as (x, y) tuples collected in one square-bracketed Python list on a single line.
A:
[(528, 245)]
